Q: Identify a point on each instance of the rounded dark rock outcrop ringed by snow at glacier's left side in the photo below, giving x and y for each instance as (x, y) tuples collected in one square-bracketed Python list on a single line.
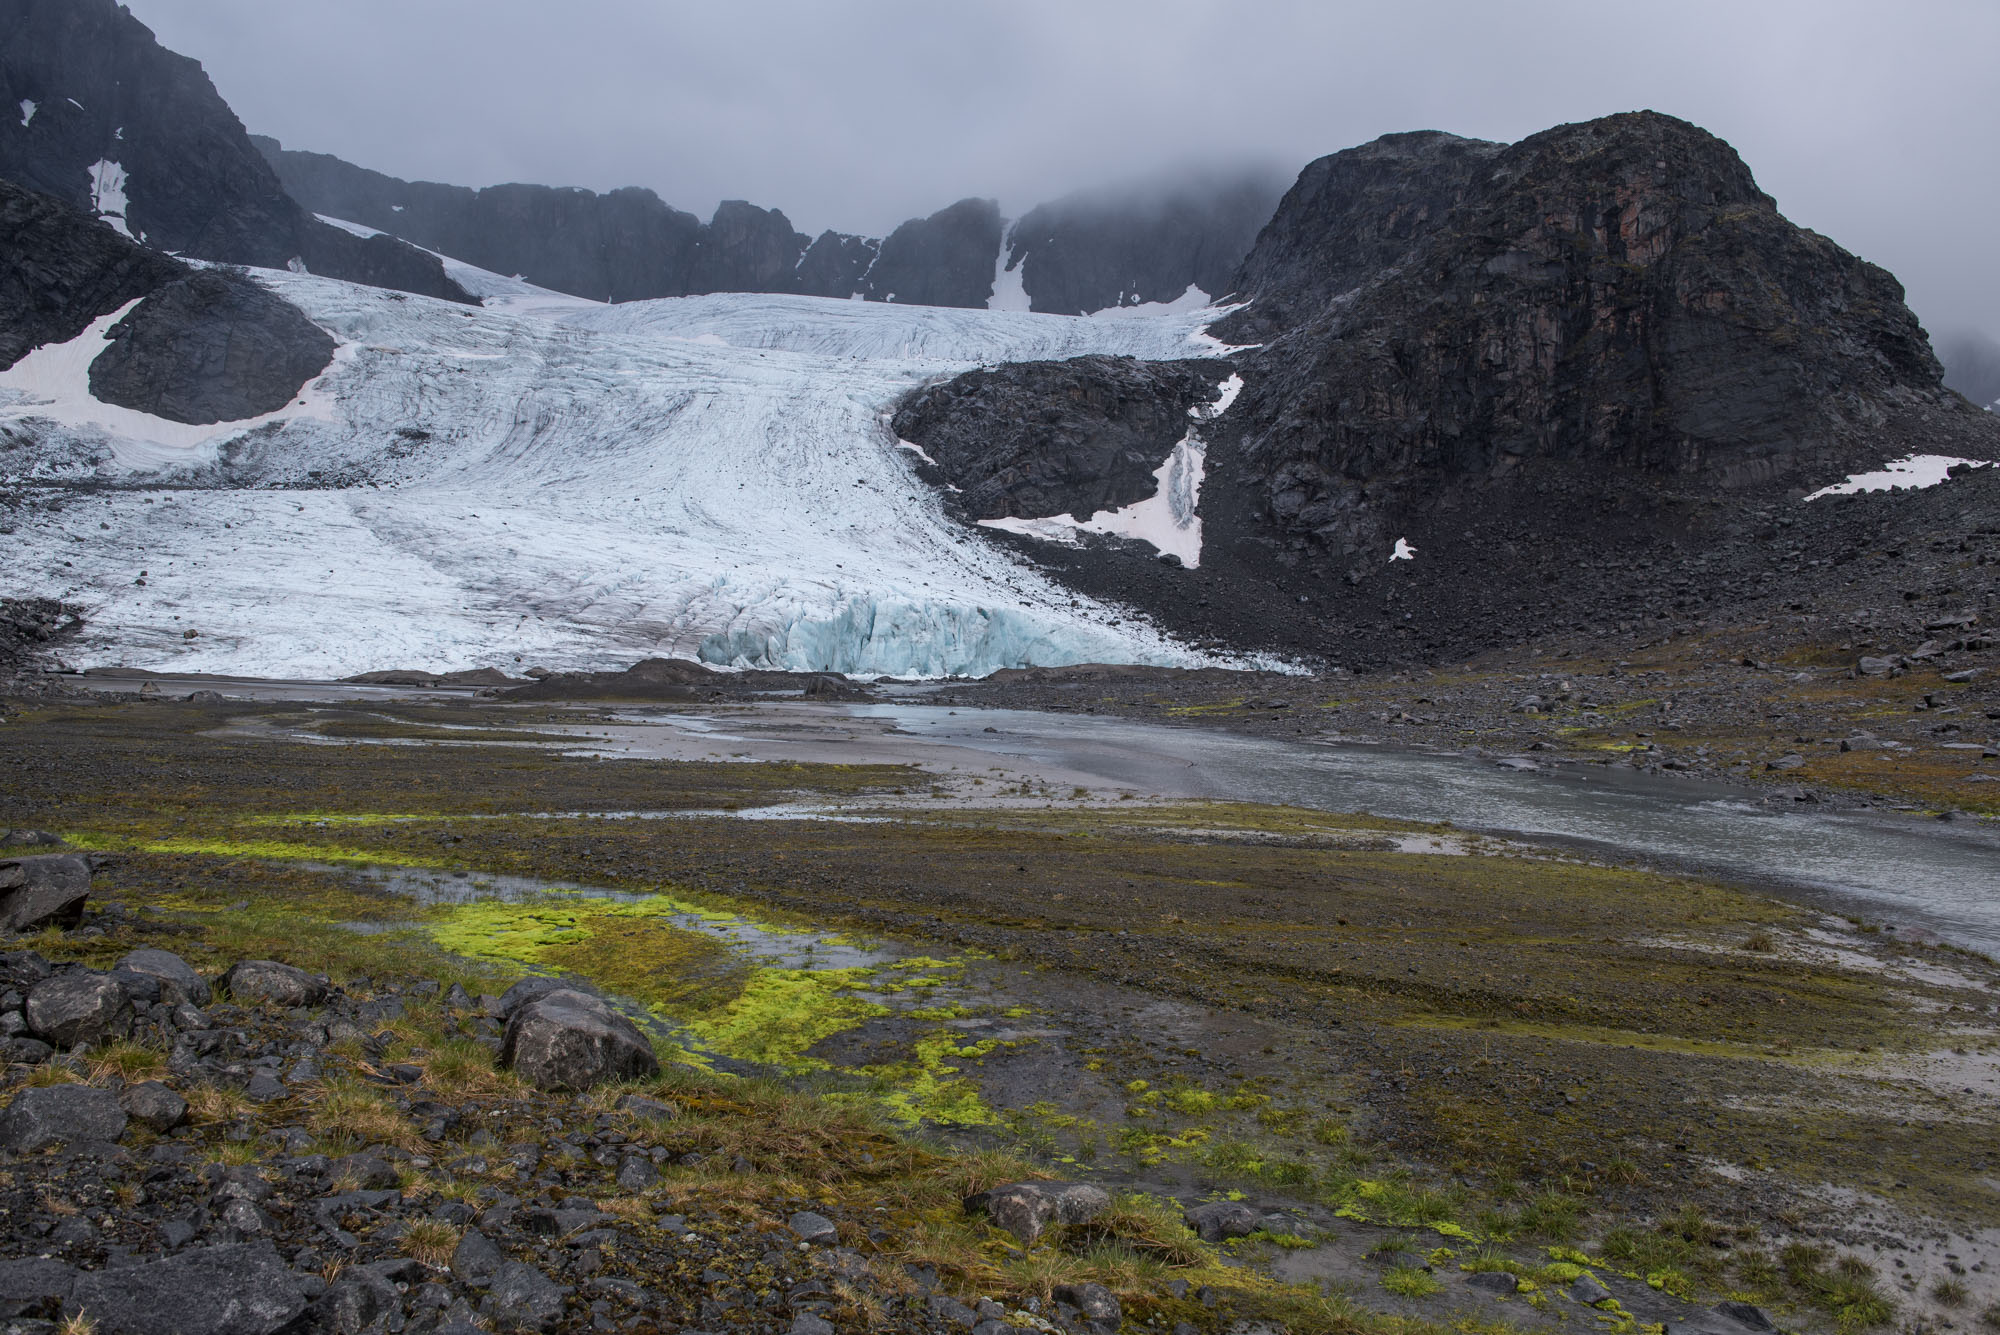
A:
[(213, 347)]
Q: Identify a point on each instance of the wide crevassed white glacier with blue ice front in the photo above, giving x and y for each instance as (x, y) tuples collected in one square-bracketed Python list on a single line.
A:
[(555, 483)]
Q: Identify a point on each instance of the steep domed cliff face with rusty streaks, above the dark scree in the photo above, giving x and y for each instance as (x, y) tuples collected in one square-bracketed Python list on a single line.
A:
[(1615, 303)]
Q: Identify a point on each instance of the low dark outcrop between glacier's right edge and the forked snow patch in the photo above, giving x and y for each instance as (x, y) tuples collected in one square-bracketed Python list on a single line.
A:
[(1045, 439)]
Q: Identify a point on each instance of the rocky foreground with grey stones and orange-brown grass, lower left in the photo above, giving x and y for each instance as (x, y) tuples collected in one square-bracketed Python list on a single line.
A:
[(249, 1154)]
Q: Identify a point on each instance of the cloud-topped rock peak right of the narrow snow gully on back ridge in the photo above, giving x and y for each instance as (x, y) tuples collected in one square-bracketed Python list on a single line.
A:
[(1121, 247)]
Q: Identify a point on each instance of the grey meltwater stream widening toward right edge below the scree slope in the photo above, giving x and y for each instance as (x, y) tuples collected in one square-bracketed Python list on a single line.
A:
[(1943, 876)]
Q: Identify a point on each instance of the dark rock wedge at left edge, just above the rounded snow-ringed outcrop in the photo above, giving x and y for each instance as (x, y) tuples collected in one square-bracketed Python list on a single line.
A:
[(63, 269)]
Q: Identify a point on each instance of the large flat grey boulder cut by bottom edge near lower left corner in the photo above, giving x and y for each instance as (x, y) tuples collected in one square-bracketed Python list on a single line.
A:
[(231, 1290)]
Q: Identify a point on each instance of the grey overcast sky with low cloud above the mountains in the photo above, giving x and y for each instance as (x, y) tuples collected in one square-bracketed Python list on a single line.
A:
[(1873, 123)]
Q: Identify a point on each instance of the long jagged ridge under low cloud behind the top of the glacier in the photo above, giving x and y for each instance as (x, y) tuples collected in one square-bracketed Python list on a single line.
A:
[(1085, 253)]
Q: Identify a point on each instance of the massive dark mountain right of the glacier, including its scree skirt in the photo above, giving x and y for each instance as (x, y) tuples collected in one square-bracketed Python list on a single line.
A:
[(1583, 377)]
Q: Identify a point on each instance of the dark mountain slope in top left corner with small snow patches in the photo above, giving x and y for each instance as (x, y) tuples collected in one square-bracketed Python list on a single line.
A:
[(101, 117)]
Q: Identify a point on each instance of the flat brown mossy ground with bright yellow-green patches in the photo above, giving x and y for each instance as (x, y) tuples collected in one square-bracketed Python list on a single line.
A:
[(1207, 998)]
